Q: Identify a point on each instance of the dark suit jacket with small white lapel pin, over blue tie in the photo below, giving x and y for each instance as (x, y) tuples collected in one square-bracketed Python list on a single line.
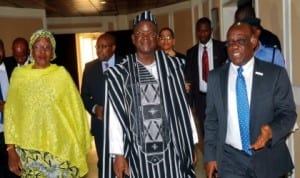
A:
[(272, 103)]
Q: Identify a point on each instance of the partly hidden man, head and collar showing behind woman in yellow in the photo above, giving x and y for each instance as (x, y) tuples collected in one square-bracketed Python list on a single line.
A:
[(20, 52)]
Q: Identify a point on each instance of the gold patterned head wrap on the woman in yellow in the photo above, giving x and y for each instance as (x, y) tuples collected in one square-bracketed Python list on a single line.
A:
[(42, 34)]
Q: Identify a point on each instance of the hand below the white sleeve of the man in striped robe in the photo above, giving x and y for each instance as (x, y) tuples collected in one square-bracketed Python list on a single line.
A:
[(121, 166)]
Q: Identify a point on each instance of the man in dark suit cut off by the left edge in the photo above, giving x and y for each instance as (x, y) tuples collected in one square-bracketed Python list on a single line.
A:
[(6, 69)]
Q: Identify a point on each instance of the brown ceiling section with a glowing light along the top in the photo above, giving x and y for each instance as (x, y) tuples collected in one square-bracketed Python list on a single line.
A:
[(83, 8)]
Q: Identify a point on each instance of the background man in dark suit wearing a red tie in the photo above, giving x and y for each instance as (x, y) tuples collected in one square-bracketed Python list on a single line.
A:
[(196, 84)]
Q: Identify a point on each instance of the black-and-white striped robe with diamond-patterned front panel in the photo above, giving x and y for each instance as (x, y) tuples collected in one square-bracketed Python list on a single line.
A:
[(155, 117)]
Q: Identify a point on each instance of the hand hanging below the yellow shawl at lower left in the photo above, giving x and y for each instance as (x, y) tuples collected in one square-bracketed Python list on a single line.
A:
[(14, 162)]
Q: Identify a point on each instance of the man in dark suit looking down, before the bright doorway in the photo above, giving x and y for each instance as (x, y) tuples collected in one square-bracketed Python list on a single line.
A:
[(93, 90)]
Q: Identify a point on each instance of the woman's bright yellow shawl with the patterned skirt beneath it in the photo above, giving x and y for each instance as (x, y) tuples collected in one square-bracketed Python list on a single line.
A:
[(45, 118)]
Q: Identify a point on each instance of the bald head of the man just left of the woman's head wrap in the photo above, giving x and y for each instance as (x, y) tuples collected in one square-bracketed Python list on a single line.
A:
[(20, 50)]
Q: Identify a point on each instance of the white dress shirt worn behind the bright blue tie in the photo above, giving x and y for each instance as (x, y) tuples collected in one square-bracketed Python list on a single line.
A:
[(233, 137)]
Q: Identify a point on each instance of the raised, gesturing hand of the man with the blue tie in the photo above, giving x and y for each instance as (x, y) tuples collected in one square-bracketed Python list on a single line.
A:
[(263, 138)]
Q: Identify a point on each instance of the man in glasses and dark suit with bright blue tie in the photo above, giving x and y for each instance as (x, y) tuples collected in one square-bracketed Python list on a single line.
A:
[(248, 141)]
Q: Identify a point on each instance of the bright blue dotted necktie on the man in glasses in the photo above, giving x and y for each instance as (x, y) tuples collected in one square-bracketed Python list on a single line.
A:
[(243, 111)]
